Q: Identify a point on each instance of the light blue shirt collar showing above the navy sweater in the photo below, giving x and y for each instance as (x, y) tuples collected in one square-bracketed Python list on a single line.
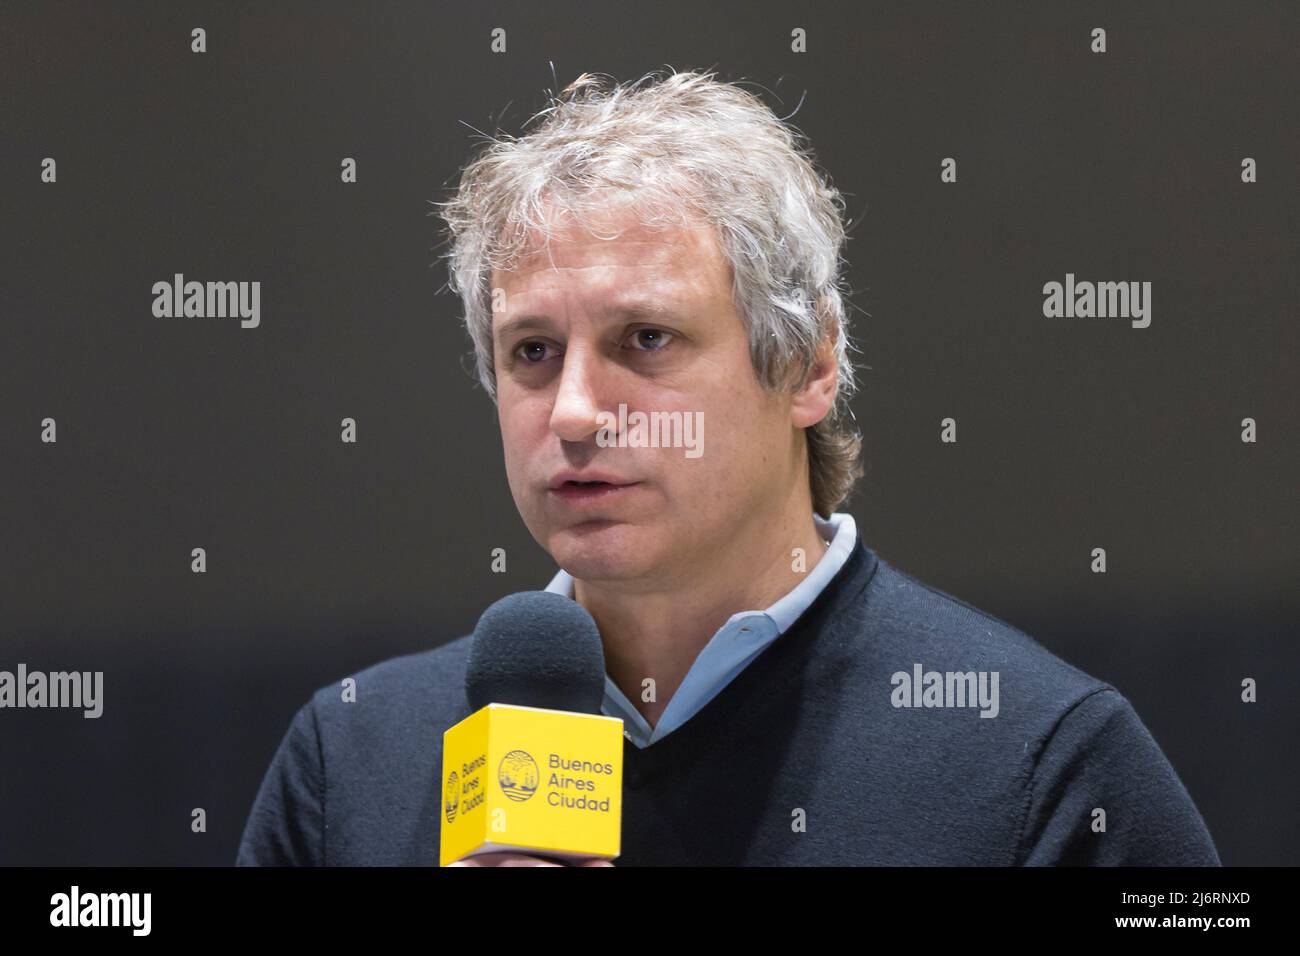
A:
[(736, 644)]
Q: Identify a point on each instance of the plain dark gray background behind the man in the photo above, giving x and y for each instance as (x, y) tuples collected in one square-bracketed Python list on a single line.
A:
[(324, 557)]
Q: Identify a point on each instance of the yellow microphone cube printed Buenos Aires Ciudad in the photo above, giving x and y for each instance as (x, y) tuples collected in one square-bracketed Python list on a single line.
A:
[(532, 781)]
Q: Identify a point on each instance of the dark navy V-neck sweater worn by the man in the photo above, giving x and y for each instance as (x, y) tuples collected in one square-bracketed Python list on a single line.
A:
[(808, 758)]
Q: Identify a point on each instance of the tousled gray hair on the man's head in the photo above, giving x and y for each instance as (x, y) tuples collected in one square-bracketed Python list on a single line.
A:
[(682, 145)]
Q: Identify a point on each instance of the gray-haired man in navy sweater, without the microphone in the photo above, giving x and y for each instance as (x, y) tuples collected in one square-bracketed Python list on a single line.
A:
[(669, 249)]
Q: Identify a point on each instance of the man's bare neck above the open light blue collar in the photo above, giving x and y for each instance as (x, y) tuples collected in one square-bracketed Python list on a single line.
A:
[(660, 635)]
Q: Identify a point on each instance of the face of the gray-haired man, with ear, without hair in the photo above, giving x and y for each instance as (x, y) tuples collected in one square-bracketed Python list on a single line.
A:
[(645, 319)]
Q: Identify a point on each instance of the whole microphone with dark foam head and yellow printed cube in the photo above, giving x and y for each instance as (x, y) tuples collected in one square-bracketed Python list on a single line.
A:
[(536, 768)]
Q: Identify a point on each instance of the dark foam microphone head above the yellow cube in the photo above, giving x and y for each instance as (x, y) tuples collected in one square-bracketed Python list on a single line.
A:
[(538, 650)]
